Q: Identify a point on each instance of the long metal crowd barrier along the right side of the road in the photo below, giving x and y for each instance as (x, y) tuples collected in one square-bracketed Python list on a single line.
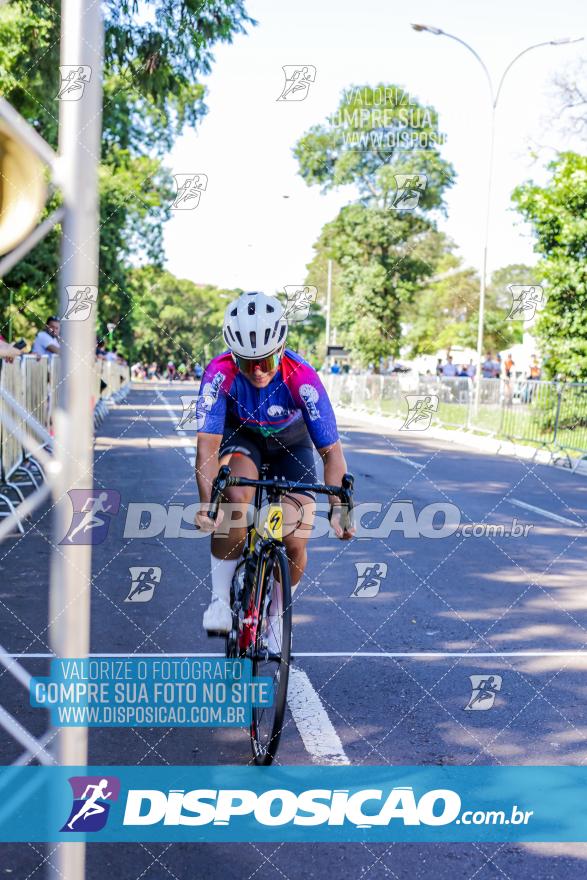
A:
[(552, 415)]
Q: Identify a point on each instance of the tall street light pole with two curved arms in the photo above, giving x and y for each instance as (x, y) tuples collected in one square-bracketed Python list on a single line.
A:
[(494, 98)]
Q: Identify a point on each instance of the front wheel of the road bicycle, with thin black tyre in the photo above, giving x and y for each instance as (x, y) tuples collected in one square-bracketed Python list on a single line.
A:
[(271, 658)]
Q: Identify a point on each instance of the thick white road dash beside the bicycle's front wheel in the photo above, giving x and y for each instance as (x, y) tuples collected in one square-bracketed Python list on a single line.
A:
[(321, 740)]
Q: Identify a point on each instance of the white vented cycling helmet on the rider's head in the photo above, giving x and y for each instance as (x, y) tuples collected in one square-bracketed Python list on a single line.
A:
[(254, 325)]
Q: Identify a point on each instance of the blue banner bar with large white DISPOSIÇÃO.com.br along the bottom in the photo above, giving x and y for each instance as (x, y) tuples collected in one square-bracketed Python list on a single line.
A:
[(303, 804)]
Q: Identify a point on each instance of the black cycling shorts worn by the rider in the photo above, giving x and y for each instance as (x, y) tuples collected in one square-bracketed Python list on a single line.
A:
[(292, 460)]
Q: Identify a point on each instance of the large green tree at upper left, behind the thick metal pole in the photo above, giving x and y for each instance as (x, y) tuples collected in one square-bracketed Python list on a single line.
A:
[(152, 67)]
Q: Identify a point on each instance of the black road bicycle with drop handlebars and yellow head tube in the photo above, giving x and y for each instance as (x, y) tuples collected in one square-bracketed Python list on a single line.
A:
[(260, 594)]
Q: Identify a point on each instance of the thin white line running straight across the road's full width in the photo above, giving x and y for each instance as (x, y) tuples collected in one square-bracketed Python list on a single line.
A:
[(317, 654)]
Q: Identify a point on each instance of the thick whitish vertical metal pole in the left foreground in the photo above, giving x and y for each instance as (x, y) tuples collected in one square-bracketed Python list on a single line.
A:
[(79, 152)]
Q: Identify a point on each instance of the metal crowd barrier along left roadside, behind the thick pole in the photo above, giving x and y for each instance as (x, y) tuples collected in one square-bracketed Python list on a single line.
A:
[(28, 391)]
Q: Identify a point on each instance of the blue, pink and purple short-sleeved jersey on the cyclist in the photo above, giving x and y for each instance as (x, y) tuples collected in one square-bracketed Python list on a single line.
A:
[(294, 394)]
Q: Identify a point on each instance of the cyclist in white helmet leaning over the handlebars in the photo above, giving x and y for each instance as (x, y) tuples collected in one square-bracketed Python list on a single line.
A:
[(261, 403)]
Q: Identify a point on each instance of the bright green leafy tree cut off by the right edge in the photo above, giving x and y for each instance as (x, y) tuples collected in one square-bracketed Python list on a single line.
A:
[(558, 215)]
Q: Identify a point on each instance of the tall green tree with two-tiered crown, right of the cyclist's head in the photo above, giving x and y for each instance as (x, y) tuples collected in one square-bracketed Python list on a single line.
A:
[(382, 250)]
